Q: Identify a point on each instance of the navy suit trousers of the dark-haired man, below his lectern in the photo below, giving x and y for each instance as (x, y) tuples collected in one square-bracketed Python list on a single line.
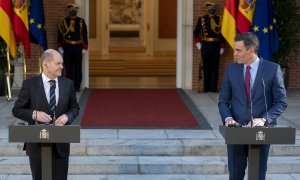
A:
[(238, 158)]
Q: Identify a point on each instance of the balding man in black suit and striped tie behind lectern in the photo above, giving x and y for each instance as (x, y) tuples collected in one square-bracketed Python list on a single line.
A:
[(34, 104)]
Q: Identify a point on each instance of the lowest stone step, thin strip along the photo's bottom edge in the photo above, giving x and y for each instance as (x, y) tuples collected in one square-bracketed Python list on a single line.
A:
[(153, 177)]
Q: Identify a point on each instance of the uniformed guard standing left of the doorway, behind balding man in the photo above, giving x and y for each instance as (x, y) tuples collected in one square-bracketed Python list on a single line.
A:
[(72, 44)]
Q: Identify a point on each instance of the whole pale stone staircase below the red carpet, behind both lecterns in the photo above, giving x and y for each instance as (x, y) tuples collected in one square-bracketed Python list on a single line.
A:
[(149, 154)]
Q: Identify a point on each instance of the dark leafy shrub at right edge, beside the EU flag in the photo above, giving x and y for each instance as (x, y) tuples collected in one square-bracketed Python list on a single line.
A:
[(288, 25)]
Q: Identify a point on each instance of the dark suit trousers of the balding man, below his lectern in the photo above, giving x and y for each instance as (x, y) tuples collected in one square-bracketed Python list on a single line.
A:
[(60, 167)]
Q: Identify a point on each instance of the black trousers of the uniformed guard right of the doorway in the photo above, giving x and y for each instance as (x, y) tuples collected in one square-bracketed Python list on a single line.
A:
[(210, 53)]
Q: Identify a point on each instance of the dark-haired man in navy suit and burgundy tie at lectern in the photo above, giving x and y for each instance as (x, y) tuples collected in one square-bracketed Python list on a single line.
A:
[(238, 104)]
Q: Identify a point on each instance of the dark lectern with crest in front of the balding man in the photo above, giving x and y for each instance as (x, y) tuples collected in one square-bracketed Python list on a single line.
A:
[(46, 135)]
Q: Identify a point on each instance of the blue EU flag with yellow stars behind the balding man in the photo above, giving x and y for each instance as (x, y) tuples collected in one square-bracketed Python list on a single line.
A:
[(37, 23)]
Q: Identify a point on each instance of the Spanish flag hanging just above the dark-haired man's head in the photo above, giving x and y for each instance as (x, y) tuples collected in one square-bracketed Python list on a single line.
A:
[(245, 15)]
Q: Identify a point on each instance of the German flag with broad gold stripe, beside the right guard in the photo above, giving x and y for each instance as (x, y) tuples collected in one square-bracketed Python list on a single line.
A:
[(228, 28)]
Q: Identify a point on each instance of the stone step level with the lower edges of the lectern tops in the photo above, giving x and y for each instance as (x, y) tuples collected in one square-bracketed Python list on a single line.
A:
[(149, 147)]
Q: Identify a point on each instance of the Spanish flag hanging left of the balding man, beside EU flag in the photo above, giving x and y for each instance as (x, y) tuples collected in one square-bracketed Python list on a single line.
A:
[(20, 23)]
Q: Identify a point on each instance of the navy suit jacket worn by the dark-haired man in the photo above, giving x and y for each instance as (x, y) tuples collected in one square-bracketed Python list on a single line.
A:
[(233, 101)]
